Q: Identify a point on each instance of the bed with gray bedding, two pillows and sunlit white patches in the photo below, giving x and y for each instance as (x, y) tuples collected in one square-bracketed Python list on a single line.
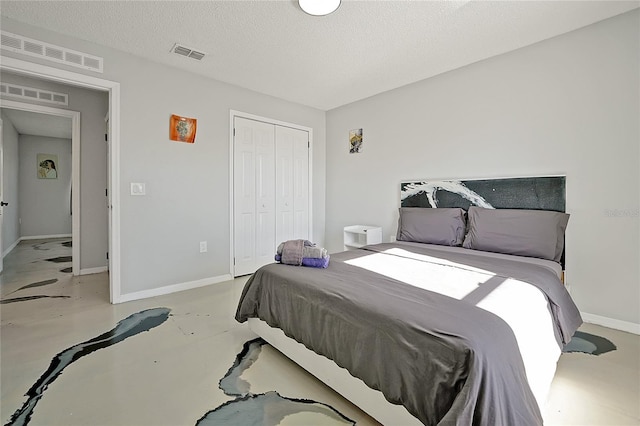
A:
[(440, 327)]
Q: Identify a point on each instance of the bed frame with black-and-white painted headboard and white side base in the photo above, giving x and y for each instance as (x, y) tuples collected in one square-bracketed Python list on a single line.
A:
[(536, 193)]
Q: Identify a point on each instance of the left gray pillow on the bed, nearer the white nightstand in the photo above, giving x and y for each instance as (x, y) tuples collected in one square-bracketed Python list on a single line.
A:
[(443, 226)]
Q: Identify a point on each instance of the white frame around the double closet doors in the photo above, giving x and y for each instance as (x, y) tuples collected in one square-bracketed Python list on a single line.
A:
[(232, 115)]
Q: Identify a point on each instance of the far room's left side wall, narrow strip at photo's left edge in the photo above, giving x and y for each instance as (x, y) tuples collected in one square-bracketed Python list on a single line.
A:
[(10, 225)]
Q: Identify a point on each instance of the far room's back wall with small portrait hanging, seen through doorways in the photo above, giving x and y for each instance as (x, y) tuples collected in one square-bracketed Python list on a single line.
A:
[(45, 204)]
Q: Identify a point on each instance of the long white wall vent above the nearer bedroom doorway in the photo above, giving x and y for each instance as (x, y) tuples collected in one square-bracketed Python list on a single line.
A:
[(50, 52)]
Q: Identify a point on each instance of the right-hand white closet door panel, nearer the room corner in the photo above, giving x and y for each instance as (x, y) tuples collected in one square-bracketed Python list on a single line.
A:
[(292, 184)]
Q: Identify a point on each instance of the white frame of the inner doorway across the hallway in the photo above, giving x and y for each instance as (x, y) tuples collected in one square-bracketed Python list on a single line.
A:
[(75, 167)]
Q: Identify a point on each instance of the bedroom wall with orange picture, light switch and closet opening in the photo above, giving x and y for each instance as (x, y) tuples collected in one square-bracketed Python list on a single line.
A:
[(187, 185)]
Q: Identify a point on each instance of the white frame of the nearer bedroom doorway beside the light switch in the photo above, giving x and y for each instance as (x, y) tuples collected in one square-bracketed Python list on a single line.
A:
[(58, 75)]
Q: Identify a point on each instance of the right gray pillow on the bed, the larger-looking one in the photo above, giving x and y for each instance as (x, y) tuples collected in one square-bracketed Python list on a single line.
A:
[(533, 233)]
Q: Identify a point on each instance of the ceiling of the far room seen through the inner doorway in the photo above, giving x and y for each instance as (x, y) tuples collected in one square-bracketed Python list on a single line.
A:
[(36, 124)]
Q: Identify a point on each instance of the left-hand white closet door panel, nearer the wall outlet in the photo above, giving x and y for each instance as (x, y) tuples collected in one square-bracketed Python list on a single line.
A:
[(253, 200)]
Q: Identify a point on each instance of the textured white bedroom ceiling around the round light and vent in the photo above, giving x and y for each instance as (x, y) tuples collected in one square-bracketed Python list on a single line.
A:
[(364, 48)]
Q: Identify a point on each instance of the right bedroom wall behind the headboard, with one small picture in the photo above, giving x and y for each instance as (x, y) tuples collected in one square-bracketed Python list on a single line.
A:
[(568, 105)]
